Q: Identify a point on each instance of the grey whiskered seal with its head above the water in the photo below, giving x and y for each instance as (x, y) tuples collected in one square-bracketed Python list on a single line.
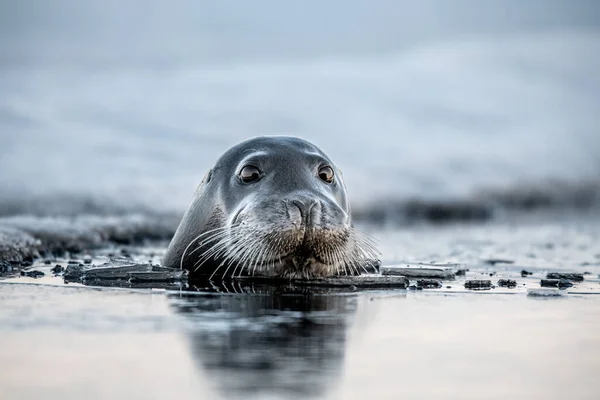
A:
[(271, 206)]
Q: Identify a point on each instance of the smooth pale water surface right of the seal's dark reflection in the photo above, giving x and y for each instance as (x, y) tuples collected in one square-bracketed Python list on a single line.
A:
[(432, 345)]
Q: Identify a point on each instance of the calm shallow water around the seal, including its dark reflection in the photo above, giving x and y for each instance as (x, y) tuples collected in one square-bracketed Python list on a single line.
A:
[(71, 341)]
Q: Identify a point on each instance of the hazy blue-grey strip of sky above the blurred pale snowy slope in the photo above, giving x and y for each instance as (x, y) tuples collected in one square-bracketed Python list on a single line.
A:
[(161, 34)]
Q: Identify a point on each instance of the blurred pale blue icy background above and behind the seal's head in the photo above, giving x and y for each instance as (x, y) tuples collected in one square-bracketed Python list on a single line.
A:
[(109, 106)]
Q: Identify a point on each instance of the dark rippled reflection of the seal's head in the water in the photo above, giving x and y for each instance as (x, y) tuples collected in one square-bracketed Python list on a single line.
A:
[(270, 345)]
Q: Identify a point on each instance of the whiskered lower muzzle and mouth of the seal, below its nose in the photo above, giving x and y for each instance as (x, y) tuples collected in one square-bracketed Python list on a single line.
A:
[(291, 253)]
